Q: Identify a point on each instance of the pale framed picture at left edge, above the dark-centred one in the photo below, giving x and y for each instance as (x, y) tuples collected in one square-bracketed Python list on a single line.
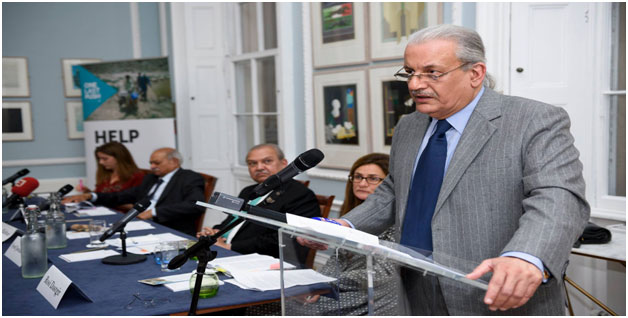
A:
[(15, 77)]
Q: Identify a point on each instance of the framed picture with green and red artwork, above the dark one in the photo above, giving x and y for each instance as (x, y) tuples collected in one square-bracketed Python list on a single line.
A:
[(337, 33)]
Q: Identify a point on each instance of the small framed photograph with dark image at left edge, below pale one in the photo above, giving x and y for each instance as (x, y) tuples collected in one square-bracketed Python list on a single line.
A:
[(17, 124)]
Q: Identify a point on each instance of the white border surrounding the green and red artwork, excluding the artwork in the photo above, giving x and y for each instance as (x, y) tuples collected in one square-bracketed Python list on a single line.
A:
[(340, 52)]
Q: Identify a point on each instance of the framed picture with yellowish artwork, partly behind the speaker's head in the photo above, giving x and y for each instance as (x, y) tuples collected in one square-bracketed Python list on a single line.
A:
[(392, 22)]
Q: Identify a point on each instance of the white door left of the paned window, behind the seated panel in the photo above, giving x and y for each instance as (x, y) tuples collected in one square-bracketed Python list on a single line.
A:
[(201, 91)]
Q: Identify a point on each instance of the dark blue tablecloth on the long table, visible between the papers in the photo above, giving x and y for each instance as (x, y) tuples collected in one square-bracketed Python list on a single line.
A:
[(111, 287)]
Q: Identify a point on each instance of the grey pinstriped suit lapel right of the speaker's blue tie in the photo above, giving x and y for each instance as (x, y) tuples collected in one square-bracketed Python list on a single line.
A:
[(478, 131)]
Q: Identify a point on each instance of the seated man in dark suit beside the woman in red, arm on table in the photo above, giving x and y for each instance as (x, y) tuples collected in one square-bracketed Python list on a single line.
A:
[(173, 192)]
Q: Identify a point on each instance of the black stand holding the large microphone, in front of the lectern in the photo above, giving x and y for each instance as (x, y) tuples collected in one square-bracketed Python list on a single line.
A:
[(205, 255)]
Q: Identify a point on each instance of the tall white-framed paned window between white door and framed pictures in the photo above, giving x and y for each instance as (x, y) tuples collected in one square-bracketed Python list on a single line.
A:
[(255, 83)]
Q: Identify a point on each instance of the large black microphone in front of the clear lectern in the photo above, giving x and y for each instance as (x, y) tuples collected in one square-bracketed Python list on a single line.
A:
[(303, 162)]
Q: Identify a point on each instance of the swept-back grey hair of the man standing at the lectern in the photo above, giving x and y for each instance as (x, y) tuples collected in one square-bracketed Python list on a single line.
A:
[(470, 46)]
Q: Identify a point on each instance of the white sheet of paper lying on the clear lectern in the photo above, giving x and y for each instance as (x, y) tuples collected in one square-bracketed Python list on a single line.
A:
[(331, 229)]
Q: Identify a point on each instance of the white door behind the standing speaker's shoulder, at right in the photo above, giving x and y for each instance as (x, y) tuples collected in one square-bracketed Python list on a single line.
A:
[(551, 62)]
